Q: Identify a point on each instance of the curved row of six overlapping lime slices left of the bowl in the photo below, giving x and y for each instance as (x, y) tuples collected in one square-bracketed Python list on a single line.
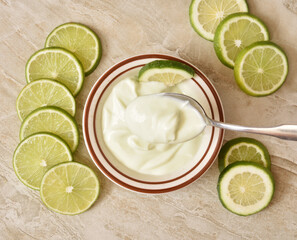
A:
[(49, 133)]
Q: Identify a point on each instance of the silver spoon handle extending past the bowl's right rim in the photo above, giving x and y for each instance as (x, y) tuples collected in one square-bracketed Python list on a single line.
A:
[(288, 132)]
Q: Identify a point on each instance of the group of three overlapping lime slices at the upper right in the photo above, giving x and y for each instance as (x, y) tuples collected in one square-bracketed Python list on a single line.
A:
[(241, 41)]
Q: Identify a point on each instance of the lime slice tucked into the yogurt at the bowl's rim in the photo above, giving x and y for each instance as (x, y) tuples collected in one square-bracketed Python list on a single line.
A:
[(165, 71)]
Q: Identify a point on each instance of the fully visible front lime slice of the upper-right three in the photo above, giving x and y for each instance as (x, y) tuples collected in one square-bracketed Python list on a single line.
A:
[(261, 69)]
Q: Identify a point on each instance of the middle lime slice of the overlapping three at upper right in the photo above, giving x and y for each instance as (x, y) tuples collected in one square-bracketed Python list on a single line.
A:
[(236, 32)]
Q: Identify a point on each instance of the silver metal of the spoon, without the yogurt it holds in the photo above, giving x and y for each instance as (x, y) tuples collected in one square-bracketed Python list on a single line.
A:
[(287, 132)]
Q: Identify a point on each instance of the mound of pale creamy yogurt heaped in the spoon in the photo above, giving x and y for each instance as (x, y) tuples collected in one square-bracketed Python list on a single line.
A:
[(163, 119)]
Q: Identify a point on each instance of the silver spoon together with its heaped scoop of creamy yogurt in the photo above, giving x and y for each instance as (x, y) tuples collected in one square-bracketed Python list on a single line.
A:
[(175, 118)]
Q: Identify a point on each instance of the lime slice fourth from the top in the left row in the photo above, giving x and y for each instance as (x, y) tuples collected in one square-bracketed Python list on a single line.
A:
[(54, 120)]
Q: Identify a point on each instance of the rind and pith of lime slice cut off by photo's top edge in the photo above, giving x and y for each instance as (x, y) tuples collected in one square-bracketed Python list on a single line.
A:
[(193, 15)]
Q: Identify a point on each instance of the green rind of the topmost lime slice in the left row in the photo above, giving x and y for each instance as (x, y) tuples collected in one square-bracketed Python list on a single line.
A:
[(87, 29)]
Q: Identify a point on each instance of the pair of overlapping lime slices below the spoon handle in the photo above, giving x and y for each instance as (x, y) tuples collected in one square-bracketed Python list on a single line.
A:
[(245, 185)]
